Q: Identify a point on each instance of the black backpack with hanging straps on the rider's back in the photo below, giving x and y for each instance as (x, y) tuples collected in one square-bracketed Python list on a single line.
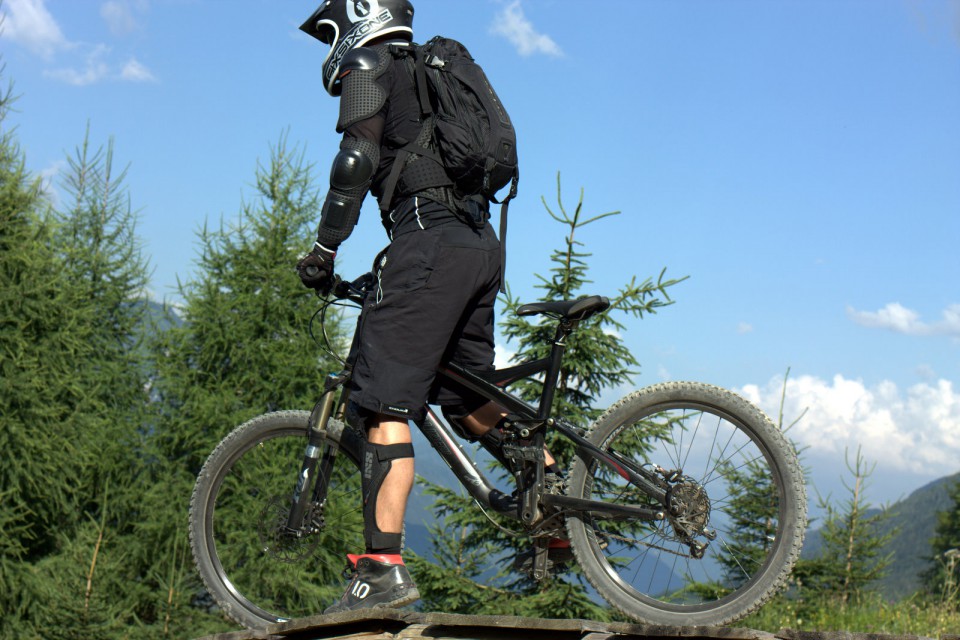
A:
[(475, 141)]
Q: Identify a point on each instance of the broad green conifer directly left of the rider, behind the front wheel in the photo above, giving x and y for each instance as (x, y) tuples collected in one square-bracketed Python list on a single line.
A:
[(243, 347)]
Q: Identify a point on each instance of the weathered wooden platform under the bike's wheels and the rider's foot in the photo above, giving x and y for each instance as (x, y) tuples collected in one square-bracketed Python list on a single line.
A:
[(390, 624)]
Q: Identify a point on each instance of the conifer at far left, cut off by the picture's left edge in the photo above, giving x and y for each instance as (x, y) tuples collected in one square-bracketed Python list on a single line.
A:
[(43, 337)]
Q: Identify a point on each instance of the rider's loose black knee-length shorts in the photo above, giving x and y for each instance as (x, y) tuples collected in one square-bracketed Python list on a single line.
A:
[(433, 303)]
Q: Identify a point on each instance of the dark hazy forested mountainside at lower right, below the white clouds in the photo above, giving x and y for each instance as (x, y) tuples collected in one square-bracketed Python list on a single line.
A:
[(914, 519)]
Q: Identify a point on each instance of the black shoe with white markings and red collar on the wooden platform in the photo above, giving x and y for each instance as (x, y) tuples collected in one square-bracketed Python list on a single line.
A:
[(378, 581)]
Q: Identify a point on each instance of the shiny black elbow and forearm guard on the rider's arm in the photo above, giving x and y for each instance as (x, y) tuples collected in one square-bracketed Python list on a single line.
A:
[(350, 177)]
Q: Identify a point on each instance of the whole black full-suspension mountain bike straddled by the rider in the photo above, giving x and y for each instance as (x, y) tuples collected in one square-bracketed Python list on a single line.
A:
[(683, 504)]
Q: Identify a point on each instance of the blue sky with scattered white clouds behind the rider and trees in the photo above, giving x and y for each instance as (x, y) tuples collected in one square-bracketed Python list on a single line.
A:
[(799, 160)]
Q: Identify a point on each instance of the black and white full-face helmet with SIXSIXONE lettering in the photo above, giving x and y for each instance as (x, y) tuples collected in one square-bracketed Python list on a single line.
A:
[(348, 24)]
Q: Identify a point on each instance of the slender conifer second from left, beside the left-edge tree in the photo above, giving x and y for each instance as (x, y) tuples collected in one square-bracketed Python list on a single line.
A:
[(98, 250)]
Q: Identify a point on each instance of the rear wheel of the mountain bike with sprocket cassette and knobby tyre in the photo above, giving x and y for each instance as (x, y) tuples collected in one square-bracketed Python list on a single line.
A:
[(734, 511)]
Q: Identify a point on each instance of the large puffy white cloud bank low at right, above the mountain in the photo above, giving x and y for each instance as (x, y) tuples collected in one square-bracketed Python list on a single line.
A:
[(915, 430)]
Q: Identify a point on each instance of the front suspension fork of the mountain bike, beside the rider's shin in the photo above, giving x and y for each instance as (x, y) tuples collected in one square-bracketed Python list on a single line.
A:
[(316, 443)]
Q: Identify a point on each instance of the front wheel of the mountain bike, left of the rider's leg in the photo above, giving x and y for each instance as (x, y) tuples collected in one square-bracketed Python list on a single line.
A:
[(256, 571)]
